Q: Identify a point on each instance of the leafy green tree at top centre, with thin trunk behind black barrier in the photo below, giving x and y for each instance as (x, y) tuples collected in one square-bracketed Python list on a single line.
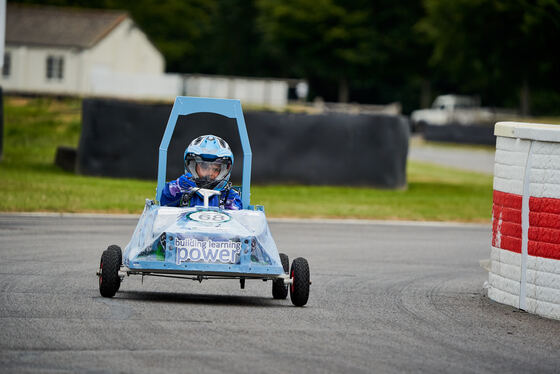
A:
[(330, 40)]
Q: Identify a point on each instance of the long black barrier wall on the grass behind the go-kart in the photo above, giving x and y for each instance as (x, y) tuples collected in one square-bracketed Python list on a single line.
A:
[(121, 139)]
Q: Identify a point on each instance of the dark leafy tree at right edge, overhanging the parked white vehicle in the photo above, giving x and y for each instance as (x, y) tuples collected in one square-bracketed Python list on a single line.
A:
[(499, 48)]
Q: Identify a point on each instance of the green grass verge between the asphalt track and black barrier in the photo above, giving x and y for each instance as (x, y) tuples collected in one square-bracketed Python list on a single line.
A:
[(29, 180)]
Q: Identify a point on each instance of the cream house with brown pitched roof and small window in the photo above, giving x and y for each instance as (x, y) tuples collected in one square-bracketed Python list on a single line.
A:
[(60, 50)]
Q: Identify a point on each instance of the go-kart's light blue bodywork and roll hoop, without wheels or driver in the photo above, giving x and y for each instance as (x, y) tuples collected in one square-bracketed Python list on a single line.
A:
[(203, 241)]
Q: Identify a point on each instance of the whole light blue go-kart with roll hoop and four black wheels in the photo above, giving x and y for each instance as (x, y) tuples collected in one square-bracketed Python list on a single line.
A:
[(205, 242)]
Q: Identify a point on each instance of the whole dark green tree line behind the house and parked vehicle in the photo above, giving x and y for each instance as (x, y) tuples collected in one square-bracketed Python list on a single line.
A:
[(367, 51)]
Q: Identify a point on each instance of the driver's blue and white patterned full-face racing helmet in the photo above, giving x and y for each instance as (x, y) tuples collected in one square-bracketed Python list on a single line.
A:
[(209, 159)]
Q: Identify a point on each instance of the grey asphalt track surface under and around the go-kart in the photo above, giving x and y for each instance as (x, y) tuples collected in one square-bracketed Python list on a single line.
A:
[(385, 297)]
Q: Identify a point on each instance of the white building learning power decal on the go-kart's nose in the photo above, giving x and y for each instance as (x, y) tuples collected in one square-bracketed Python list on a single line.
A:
[(194, 250)]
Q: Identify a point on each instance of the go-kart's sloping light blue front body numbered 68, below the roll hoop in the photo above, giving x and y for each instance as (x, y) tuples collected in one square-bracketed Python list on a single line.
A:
[(203, 241)]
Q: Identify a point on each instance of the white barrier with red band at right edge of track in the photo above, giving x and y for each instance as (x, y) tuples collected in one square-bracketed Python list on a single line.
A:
[(525, 252)]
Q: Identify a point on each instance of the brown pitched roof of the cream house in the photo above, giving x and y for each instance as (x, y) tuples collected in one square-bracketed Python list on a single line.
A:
[(62, 27)]
